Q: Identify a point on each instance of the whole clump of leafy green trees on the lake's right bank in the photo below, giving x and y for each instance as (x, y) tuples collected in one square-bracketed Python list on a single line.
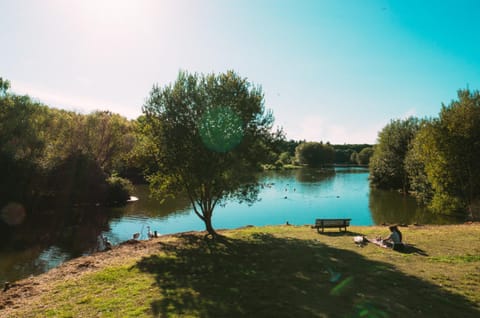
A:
[(437, 160)]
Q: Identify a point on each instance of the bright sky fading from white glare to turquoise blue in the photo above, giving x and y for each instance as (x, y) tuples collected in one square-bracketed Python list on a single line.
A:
[(335, 71)]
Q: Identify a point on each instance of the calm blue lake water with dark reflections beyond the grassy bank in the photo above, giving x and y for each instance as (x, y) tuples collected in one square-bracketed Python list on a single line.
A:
[(296, 196)]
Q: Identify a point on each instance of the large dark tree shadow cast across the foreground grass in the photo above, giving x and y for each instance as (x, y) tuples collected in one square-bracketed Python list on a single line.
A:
[(266, 276)]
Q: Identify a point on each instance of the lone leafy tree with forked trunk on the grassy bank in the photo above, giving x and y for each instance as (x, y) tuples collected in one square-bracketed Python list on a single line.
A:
[(210, 131)]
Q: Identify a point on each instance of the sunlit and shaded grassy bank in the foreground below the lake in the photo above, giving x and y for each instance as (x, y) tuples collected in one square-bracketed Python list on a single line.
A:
[(282, 271)]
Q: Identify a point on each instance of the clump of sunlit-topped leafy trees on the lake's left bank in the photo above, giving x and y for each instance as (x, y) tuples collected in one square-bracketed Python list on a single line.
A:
[(51, 157)]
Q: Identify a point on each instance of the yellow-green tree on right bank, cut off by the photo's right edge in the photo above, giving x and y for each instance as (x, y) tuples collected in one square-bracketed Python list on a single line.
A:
[(445, 156)]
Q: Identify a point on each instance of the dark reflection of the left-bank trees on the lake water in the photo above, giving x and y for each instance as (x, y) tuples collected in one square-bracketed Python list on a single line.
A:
[(48, 238)]
